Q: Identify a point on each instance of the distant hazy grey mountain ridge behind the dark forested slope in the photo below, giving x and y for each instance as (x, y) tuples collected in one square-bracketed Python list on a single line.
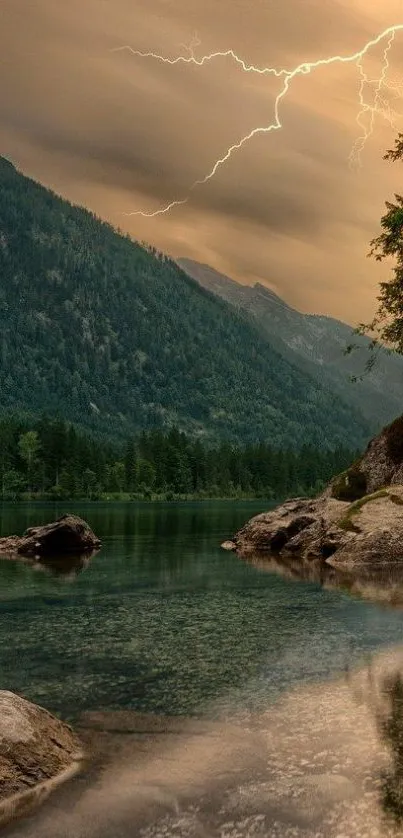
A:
[(315, 344)]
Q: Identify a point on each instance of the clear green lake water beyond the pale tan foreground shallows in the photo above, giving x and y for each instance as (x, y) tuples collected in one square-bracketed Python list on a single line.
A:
[(162, 620)]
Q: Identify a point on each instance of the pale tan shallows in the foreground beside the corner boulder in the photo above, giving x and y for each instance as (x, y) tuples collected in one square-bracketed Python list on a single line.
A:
[(315, 765)]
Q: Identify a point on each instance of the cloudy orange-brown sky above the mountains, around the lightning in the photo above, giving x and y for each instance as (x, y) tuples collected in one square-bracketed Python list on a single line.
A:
[(119, 133)]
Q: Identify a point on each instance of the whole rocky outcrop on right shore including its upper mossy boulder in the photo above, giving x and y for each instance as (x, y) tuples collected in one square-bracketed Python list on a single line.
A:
[(357, 522)]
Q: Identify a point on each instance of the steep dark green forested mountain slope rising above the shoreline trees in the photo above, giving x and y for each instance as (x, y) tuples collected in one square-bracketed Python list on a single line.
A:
[(117, 338)]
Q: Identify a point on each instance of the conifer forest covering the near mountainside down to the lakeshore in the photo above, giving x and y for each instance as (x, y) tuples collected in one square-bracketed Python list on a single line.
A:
[(162, 389)]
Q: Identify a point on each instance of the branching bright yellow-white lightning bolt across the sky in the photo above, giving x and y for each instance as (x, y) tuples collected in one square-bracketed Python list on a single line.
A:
[(380, 106)]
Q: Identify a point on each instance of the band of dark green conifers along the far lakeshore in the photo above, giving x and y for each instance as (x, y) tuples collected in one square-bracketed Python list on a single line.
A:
[(50, 459)]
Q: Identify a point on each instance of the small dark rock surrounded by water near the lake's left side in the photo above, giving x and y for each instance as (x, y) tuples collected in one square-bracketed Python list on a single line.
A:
[(69, 535)]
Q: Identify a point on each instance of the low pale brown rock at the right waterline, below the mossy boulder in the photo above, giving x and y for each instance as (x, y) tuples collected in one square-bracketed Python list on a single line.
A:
[(367, 532)]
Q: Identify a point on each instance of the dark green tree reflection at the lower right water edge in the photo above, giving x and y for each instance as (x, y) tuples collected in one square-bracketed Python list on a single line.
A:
[(392, 733)]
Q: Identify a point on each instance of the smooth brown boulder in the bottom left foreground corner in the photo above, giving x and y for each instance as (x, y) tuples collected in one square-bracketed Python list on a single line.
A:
[(37, 752)]
